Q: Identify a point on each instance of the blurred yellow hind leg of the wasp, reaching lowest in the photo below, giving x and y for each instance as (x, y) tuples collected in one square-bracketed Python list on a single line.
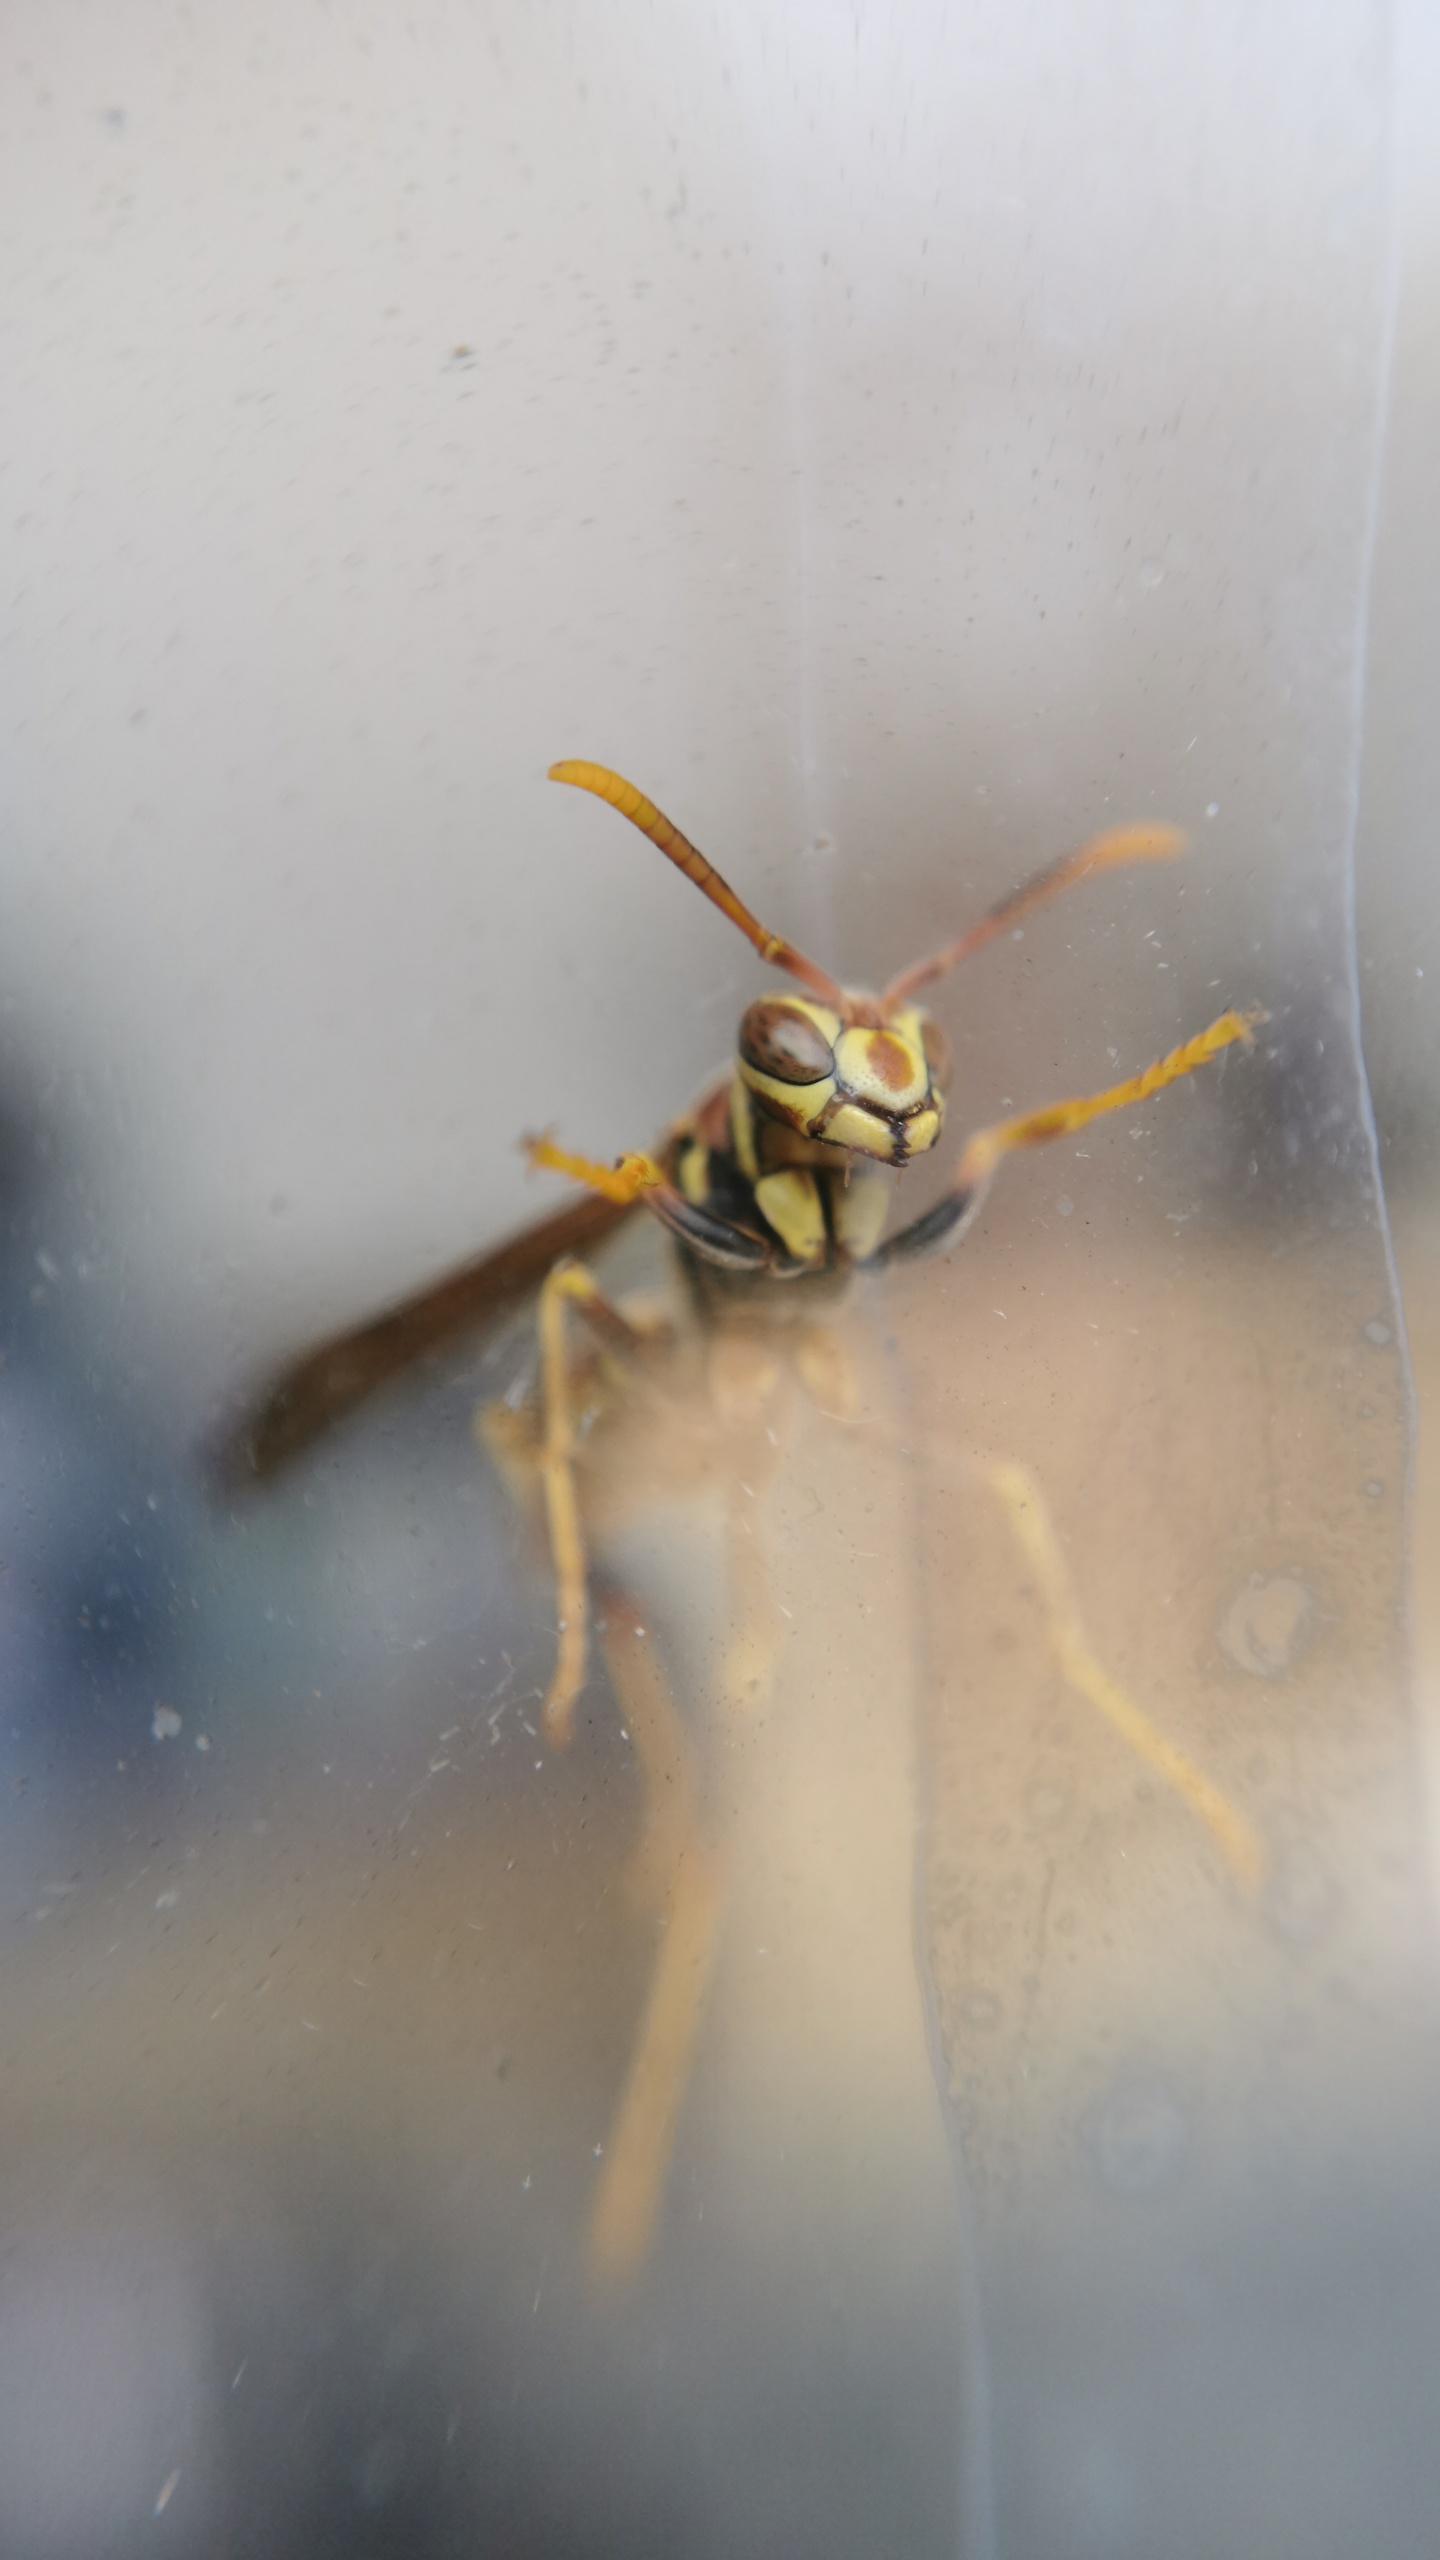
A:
[(683, 1875)]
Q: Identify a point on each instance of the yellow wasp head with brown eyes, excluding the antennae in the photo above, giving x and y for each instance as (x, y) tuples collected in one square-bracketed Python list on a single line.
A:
[(862, 1087)]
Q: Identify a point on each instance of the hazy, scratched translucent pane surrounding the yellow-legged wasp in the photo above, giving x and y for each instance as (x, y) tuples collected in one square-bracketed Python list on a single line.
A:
[(906, 444)]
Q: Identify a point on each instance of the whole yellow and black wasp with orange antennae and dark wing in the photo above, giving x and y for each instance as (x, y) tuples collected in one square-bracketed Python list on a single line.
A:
[(775, 1189)]
